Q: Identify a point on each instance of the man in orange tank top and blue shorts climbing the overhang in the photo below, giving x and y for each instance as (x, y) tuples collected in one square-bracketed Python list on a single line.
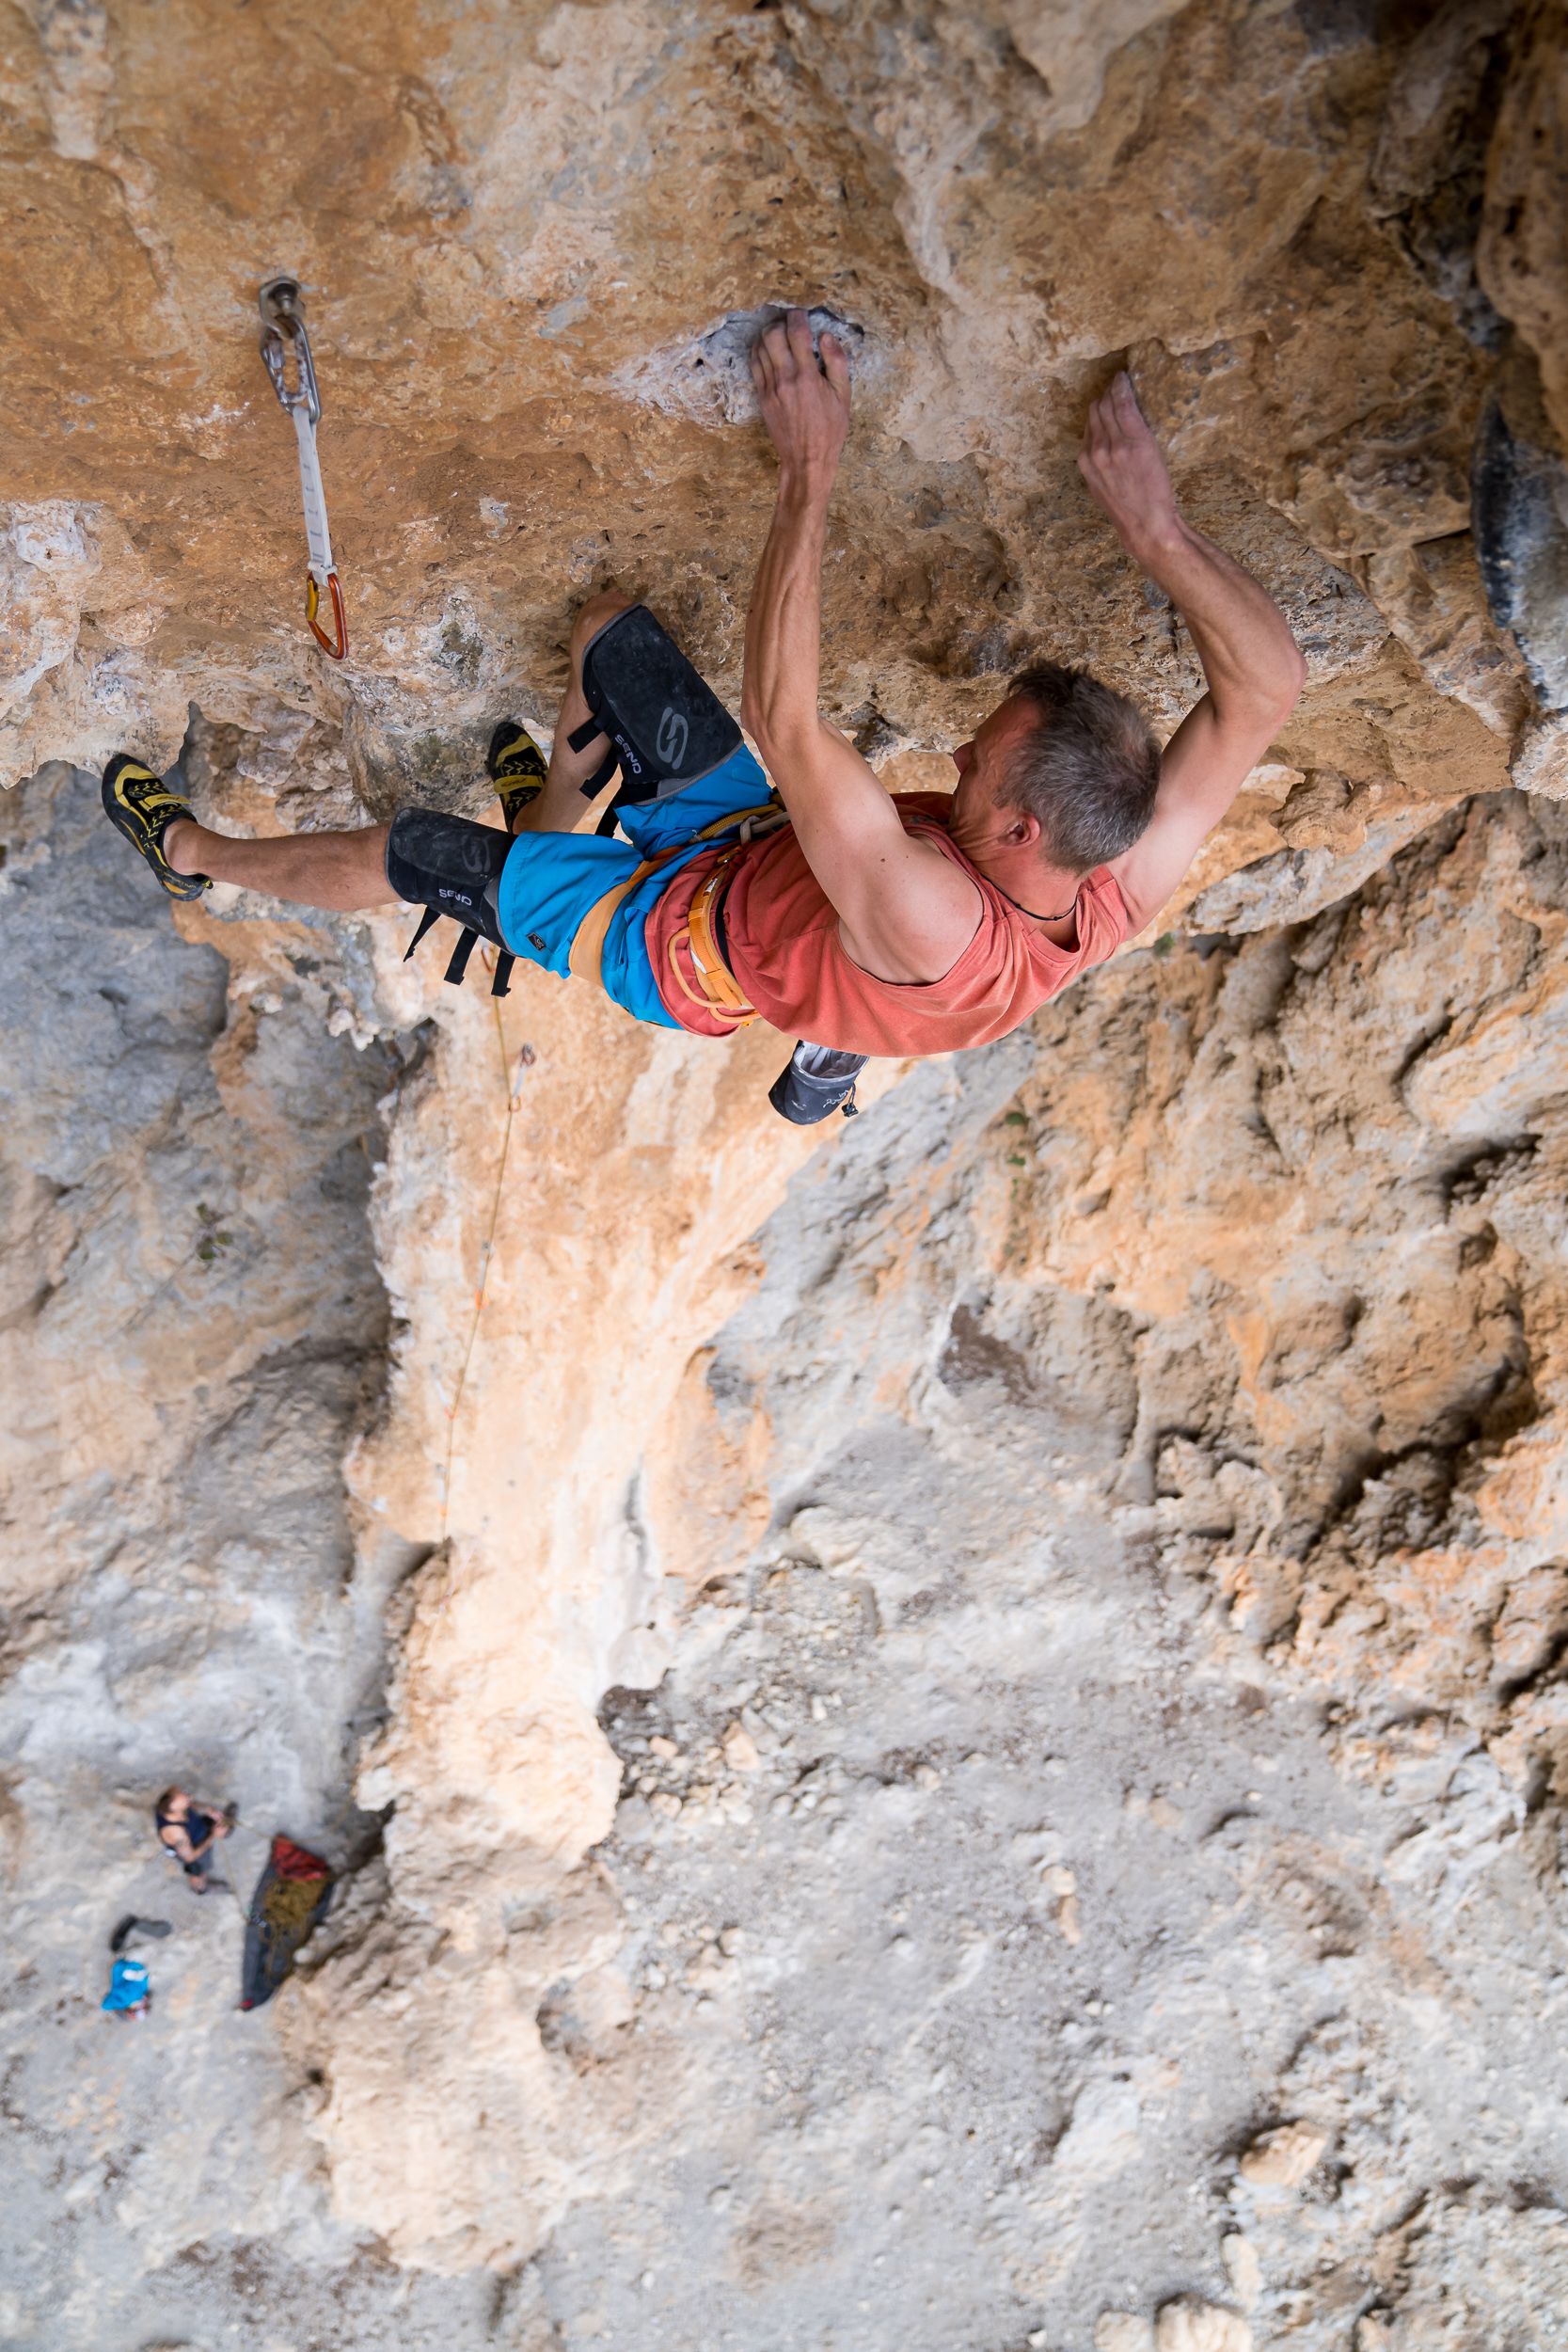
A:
[(829, 909)]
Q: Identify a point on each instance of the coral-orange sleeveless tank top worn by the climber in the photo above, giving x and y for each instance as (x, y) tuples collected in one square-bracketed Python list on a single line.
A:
[(786, 954)]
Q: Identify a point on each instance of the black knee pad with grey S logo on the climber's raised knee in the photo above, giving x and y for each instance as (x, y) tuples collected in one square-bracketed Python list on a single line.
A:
[(664, 723)]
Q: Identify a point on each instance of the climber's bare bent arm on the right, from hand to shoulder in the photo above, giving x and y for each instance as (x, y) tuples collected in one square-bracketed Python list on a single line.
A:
[(1245, 643)]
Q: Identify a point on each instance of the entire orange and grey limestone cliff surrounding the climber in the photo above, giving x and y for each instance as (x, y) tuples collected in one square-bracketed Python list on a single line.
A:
[(892, 1702)]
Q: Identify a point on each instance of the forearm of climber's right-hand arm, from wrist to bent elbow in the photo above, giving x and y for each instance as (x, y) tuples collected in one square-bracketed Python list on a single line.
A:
[(1242, 639)]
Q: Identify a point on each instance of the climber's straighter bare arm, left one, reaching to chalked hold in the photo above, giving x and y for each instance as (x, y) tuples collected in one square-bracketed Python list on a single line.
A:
[(906, 914)]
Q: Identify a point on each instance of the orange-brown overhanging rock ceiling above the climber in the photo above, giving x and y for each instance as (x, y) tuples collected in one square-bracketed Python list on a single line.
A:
[(523, 234)]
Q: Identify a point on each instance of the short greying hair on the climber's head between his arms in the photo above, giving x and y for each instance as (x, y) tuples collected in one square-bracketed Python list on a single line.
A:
[(1087, 770)]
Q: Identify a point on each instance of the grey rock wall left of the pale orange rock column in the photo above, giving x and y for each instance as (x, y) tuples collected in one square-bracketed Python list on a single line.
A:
[(194, 1330)]
